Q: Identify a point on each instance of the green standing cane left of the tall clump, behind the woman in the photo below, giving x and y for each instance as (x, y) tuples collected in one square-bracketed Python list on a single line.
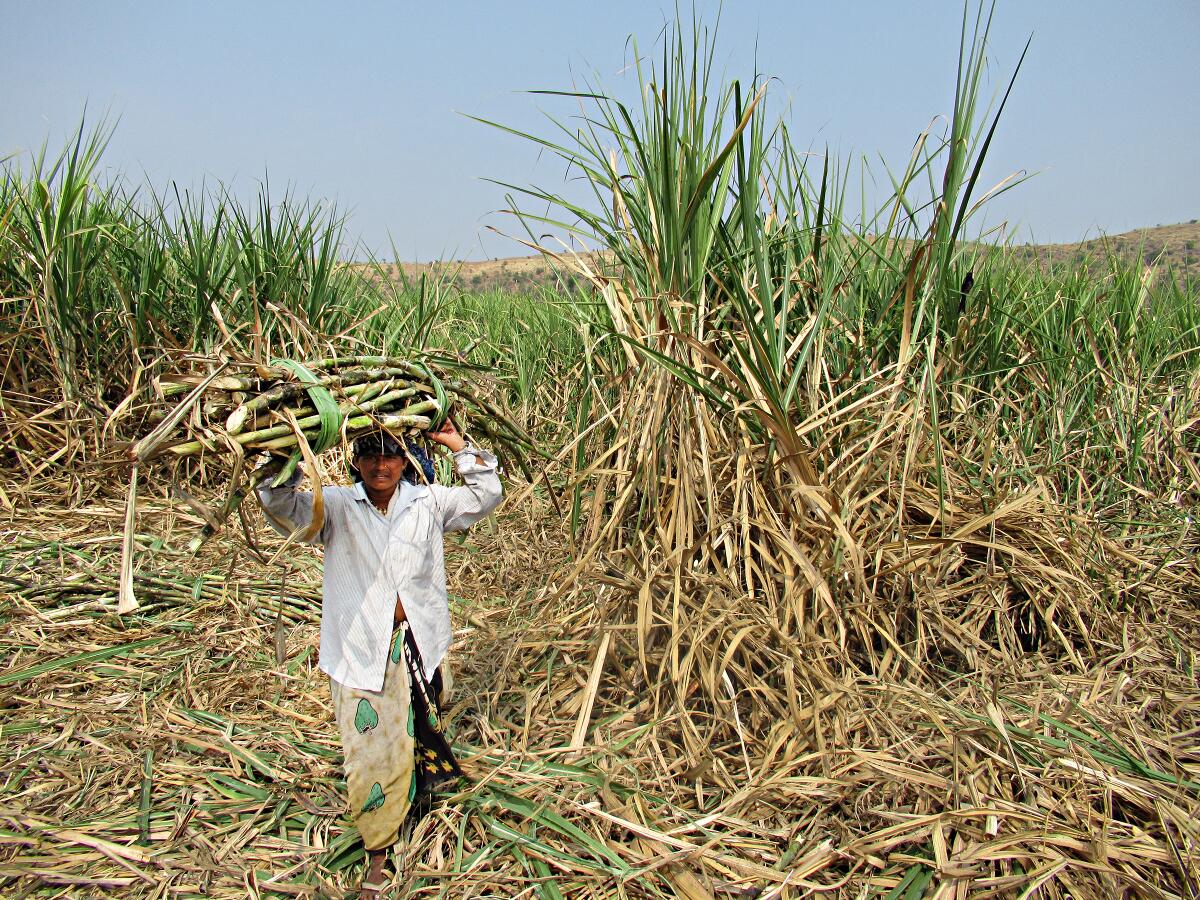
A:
[(100, 281)]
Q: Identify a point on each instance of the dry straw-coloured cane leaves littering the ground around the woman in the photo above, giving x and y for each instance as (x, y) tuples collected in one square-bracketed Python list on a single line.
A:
[(176, 754)]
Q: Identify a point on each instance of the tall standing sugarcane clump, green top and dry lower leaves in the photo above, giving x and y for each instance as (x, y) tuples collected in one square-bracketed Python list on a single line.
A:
[(777, 369)]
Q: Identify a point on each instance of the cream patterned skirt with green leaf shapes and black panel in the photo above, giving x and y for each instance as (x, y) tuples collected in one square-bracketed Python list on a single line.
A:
[(395, 749)]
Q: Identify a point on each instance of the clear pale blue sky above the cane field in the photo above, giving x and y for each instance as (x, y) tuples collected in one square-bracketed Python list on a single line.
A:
[(363, 104)]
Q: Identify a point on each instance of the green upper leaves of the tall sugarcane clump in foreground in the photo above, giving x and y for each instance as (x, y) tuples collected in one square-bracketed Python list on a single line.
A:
[(735, 255)]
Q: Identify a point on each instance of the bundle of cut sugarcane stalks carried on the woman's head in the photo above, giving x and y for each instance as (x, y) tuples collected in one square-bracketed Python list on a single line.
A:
[(297, 411)]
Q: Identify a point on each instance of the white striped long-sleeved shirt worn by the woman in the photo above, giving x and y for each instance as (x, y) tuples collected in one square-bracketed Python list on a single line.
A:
[(371, 560)]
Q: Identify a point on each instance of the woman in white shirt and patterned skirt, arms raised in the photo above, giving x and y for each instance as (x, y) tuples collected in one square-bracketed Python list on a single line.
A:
[(386, 620)]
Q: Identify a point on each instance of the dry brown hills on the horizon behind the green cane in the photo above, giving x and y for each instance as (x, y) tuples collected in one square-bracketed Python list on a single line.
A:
[(1177, 247)]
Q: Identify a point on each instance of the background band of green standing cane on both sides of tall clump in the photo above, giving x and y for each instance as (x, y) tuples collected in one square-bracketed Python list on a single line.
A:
[(1090, 363)]
